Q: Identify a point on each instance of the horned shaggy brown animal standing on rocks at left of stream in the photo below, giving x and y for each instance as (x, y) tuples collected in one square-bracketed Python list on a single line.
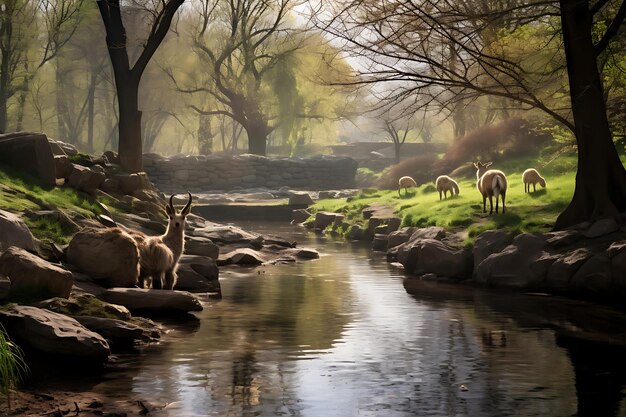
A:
[(159, 255)]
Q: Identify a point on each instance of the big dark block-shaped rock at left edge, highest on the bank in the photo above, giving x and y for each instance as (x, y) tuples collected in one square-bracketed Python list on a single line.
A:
[(29, 153)]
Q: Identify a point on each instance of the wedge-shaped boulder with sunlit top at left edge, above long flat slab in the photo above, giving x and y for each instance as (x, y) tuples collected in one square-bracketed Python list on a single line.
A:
[(32, 277)]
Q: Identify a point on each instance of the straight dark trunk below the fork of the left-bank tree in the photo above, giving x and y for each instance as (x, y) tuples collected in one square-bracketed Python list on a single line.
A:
[(130, 149)]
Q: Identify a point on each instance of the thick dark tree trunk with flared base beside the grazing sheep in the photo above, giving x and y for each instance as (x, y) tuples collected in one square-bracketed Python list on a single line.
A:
[(601, 179)]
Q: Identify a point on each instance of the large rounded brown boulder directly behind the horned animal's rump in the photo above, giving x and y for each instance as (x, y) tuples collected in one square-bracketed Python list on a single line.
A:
[(107, 254)]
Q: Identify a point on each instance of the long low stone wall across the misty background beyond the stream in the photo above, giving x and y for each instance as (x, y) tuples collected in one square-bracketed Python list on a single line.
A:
[(206, 173)]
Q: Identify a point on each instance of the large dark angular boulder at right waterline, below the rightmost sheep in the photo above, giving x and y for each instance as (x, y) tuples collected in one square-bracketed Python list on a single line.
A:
[(522, 264)]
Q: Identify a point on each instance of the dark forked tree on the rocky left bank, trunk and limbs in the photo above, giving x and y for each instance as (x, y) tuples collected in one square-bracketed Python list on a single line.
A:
[(127, 77)]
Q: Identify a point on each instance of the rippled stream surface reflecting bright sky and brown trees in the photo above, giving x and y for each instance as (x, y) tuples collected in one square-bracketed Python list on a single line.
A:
[(341, 336)]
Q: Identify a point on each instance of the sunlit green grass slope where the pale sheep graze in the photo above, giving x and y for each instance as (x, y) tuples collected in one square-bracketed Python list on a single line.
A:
[(534, 212)]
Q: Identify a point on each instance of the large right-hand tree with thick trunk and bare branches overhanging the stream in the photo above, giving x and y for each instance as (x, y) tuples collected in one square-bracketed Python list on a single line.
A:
[(403, 45)]
